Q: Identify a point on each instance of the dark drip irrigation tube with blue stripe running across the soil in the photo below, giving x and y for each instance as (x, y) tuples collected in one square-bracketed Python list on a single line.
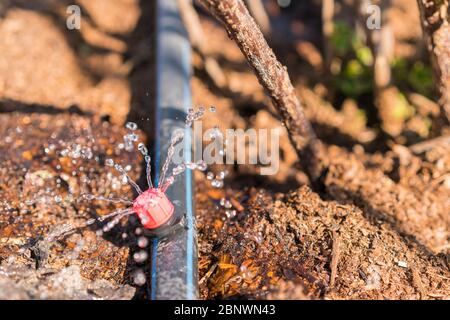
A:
[(173, 258)]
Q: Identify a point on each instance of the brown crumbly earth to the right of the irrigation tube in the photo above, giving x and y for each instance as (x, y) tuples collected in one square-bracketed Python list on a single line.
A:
[(379, 229)]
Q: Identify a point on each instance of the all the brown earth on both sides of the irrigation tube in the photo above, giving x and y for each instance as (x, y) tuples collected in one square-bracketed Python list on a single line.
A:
[(379, 228)]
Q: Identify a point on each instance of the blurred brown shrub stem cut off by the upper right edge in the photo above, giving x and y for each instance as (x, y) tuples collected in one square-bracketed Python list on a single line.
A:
[(435, 23)]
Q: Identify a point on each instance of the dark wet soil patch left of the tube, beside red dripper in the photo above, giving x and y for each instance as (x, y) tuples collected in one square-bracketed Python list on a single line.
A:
[(44, 213)]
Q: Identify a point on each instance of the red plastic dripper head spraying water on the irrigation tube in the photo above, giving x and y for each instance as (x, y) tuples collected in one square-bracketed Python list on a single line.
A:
[(153, 208)]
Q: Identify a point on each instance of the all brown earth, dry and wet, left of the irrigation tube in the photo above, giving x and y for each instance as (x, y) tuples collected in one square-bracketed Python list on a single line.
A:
[(61, 90)]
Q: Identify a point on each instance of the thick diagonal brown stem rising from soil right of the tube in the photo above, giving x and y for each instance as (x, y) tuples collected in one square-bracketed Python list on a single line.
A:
[(274, 77)]
